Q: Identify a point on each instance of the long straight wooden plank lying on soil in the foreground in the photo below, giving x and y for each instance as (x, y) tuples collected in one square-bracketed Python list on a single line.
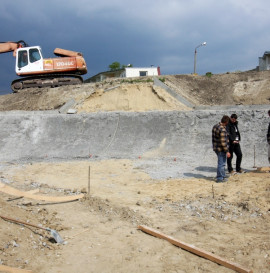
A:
[(202, 253)]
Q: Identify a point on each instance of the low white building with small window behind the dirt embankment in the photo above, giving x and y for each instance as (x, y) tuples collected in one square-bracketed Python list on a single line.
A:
[(127, 72)]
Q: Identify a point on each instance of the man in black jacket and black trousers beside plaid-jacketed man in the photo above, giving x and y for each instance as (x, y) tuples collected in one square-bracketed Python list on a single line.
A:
[(234, 145)]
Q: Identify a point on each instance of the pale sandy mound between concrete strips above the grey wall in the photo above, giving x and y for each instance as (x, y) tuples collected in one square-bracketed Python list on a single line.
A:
[(131, 97)]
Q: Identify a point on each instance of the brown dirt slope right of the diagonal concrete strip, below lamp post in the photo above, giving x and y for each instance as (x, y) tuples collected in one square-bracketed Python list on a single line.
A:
[(245, 88)]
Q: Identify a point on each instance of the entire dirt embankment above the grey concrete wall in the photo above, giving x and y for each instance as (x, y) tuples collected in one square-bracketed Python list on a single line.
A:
[(116, 95)]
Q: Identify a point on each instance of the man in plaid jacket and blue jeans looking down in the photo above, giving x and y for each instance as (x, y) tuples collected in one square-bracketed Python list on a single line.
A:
[(220, 141)]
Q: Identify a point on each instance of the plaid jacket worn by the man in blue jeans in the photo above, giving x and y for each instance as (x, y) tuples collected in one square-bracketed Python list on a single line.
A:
[(220, 138)]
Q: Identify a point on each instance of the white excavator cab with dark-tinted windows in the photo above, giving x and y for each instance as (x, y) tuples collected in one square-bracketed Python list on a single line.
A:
[(29, 60)]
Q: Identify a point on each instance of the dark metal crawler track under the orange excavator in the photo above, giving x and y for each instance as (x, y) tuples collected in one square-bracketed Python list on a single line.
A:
[(41, 81)]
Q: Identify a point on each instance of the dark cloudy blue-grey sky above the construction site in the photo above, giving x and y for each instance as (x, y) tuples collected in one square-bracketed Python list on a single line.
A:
[(141, 33)]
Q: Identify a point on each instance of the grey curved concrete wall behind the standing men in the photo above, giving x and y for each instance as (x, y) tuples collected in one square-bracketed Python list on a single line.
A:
[(184, 135)]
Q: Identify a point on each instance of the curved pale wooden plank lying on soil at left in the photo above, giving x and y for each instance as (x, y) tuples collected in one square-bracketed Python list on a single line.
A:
[(12, 191)]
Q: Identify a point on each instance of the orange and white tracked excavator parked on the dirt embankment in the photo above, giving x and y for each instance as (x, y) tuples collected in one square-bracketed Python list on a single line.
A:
[(38, 72)]
